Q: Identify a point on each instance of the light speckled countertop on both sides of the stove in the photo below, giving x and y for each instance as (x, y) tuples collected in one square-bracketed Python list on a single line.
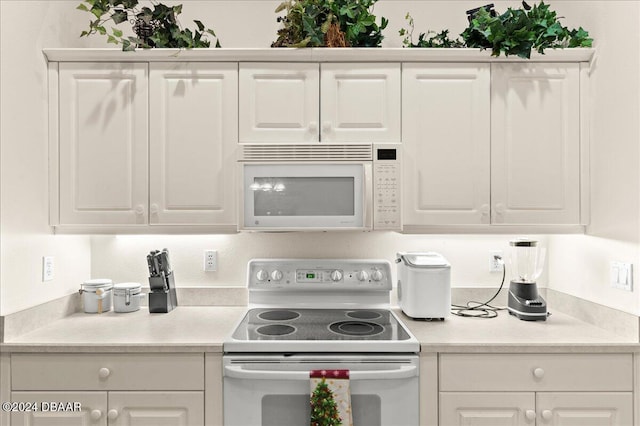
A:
[(203, 329)]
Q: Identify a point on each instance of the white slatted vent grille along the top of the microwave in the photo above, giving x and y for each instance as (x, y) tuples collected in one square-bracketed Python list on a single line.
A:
[(315, 152)]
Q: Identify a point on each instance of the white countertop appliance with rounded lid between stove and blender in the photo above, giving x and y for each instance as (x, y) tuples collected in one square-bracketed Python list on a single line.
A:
[(424, 285)]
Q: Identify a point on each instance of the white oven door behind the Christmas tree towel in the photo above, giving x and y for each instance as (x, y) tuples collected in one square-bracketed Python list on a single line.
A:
[(274, 390)]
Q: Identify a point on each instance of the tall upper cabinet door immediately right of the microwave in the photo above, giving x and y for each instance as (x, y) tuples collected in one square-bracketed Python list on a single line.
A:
[(445, 133)]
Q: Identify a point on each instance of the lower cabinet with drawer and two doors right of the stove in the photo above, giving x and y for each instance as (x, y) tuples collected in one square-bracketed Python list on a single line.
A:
[(536, 389)]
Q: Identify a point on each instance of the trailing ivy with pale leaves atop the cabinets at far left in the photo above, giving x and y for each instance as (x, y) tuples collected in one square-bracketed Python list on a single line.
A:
[(154, 27)]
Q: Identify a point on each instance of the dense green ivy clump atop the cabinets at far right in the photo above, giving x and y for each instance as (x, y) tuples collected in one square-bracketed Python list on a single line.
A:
[(518, 31)]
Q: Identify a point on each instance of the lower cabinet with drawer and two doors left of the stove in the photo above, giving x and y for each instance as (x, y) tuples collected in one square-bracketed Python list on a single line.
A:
[(108, 389)]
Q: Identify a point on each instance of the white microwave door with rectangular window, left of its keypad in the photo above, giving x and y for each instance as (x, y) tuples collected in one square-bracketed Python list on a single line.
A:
[(306, 196)]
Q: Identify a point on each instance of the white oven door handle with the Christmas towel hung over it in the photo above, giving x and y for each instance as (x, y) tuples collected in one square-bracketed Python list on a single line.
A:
[(238, 372)]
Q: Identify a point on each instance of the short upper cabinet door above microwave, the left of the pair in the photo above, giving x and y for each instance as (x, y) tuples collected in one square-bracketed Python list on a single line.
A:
[(279, 102)]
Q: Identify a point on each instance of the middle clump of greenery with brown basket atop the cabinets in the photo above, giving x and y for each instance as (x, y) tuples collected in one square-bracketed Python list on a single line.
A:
[(314, 23)]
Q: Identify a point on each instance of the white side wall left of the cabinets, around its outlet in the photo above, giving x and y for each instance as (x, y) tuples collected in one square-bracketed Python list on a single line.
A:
[(26, 27)]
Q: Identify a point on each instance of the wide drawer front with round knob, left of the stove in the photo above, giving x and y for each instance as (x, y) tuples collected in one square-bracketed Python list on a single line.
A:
[(107, 372)]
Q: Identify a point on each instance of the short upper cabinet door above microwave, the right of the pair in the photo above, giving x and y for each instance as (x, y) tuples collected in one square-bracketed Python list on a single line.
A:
[(360, 103)]
